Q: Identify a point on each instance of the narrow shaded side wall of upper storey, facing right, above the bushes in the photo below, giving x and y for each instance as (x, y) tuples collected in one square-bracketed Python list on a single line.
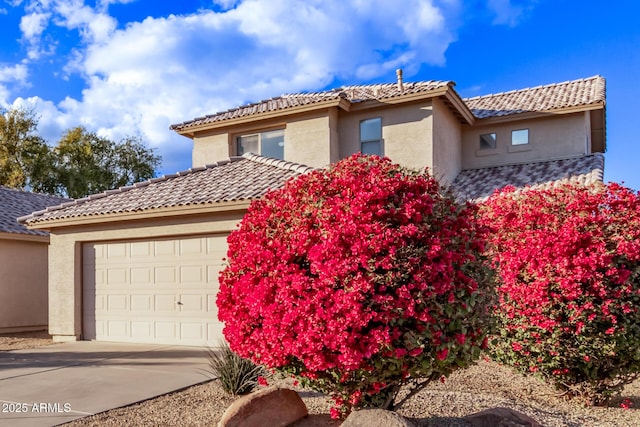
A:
[(447, 150)]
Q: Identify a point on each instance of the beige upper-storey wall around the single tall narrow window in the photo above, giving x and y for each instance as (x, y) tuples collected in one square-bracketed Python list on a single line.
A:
[(407, 132)]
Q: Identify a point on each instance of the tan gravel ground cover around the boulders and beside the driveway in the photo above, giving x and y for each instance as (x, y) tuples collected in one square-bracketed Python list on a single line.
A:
[(486, 385)]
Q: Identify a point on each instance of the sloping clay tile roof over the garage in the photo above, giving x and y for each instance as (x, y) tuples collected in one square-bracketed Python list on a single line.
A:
[(238, 178)]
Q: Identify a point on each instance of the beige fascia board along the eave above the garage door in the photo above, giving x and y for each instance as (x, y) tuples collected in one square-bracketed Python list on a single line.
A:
[(137, 215)]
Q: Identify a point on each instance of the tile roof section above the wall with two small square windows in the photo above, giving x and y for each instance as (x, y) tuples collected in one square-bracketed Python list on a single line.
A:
[(558, 96)]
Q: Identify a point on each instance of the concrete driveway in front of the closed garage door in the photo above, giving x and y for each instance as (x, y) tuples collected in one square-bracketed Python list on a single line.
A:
[(51, 385)]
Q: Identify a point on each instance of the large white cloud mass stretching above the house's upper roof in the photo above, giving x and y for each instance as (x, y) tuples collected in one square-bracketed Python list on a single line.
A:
[(144, 76)]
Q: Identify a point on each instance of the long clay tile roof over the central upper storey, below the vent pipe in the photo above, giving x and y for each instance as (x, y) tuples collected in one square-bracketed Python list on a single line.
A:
[(352, 94)]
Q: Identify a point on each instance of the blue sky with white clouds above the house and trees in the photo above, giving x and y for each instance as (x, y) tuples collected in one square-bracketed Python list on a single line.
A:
[(133, 67)]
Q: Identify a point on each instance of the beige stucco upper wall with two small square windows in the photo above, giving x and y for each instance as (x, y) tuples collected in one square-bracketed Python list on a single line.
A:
[(552, 137)]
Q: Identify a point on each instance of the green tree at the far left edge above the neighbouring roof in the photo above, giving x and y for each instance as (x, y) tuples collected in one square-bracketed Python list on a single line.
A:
[(25, 158)]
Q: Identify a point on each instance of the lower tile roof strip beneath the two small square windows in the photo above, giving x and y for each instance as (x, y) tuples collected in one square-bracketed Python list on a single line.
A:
[(478, 184)]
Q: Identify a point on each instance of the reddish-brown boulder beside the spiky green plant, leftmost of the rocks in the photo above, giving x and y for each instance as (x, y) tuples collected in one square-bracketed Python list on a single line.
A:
[(273, 406)]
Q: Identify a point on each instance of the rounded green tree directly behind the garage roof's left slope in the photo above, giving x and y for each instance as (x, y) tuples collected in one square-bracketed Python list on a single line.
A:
[(87, 163)]
